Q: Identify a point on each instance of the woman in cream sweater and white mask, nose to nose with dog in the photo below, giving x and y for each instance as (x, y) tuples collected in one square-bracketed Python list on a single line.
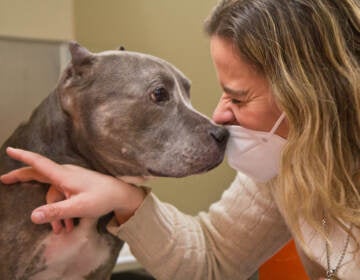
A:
[(290, 75)]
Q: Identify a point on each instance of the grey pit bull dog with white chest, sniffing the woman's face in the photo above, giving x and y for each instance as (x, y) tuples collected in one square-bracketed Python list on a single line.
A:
[(120, 113)]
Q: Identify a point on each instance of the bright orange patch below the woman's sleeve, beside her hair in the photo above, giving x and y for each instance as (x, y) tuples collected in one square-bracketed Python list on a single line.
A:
[(284, 265)]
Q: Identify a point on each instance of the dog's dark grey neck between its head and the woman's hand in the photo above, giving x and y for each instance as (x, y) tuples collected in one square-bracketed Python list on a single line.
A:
[(48, 132)]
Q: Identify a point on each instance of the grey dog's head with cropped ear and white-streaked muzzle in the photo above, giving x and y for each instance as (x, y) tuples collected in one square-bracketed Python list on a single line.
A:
[(131, 115)]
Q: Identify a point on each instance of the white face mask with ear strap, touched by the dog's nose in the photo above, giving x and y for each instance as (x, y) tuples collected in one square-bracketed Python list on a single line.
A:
[(255, 153)]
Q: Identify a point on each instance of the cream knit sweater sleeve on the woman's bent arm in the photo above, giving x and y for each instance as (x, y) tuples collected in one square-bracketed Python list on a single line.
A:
[(240, 232)]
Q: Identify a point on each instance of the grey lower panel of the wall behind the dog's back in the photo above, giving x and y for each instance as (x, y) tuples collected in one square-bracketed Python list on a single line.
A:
[(29, 71)]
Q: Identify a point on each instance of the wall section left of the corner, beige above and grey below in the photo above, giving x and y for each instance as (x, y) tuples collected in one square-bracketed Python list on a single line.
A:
[(31, 54)]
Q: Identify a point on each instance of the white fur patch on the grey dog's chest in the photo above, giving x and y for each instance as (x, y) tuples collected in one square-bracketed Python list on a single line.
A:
[(71, 256)]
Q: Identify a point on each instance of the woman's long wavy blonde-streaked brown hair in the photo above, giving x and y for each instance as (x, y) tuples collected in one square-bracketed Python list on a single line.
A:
[(310, 52)]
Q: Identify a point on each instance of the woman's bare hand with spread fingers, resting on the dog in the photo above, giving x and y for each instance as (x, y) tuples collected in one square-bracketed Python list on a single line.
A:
[(87, 193)]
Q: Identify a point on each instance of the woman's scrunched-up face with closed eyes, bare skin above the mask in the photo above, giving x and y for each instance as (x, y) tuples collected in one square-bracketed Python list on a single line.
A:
[(246, 98)]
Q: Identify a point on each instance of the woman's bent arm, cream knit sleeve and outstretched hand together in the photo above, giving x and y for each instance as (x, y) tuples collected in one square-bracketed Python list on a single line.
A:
[(238, 233)]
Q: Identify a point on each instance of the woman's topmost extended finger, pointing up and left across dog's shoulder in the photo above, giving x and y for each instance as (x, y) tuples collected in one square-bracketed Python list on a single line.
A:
[(46, 167)]
